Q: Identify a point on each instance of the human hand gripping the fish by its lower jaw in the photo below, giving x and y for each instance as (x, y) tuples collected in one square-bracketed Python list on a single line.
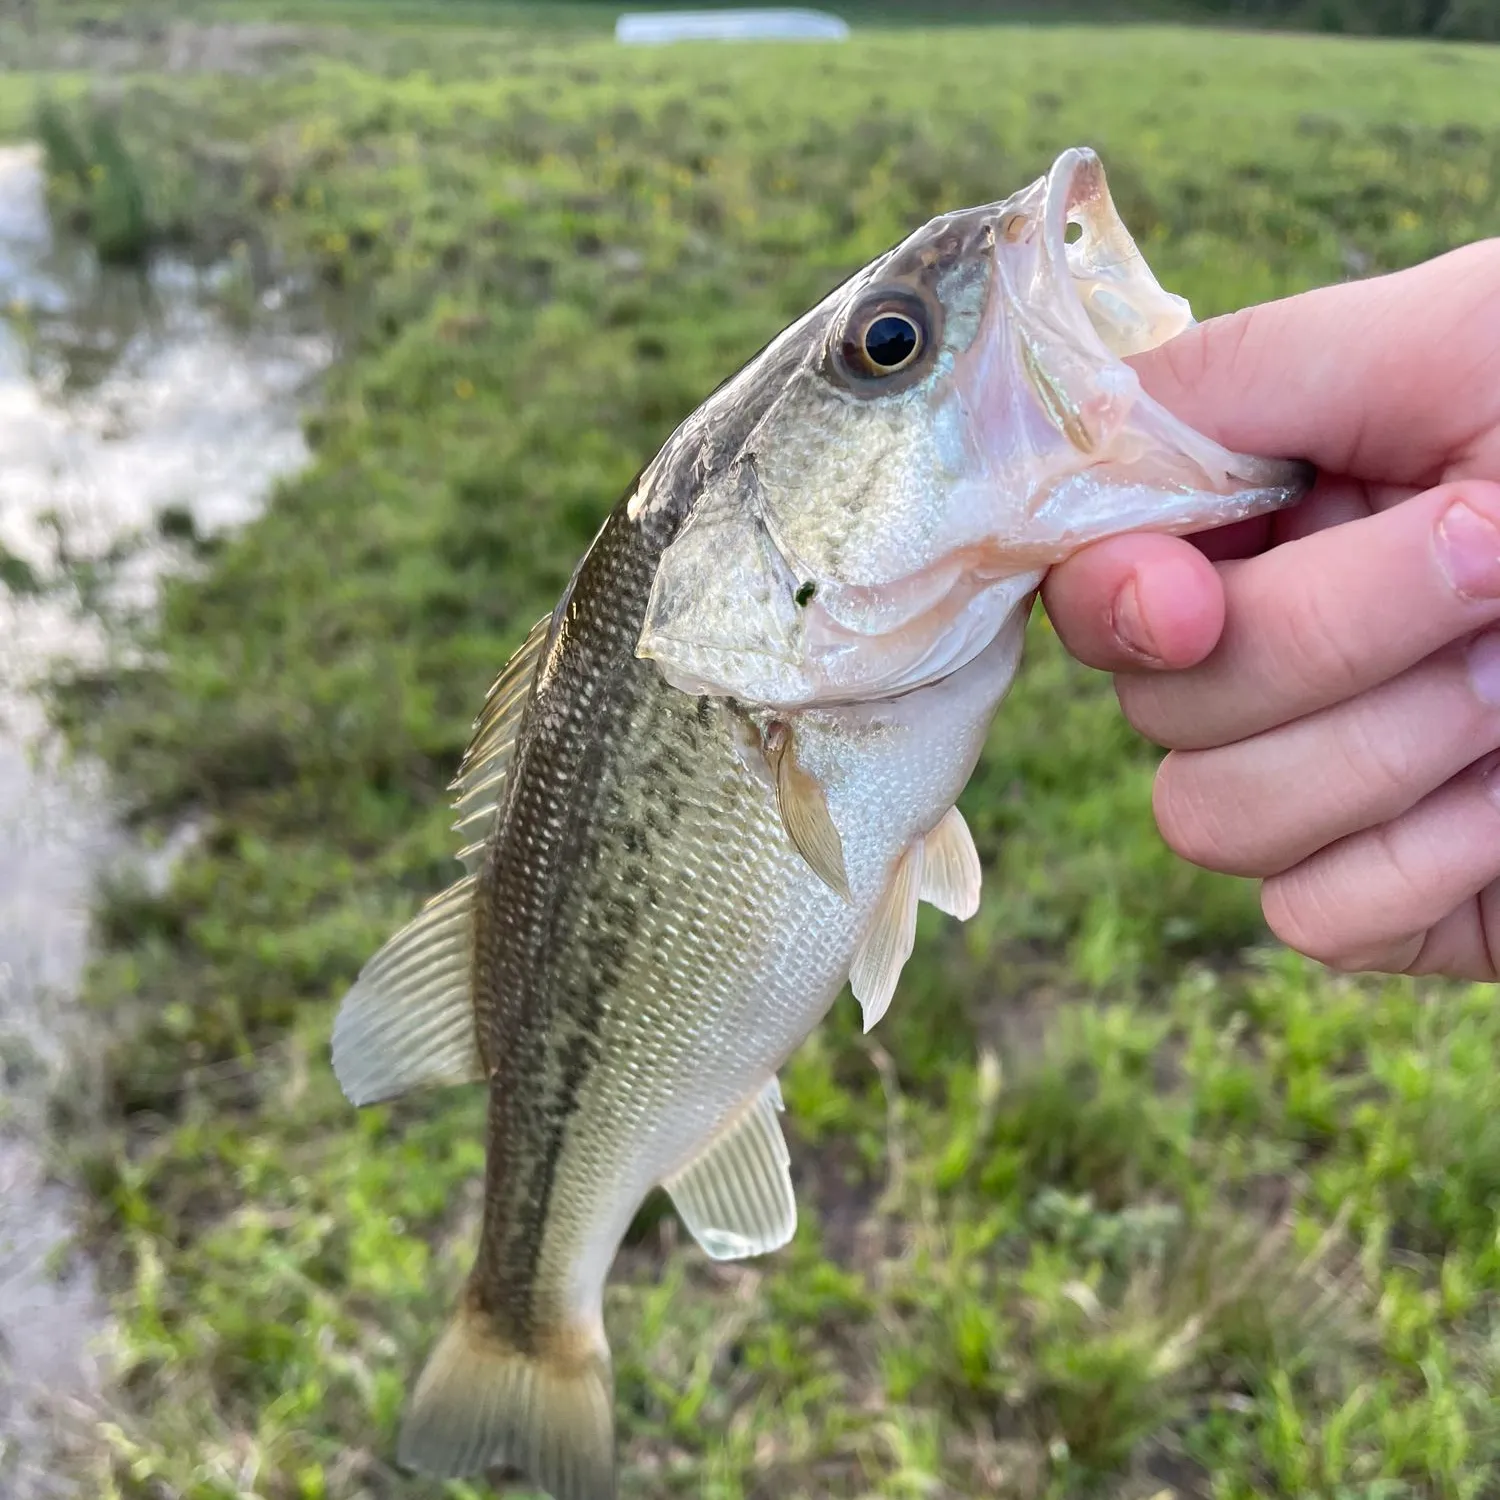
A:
[(1327, 680)]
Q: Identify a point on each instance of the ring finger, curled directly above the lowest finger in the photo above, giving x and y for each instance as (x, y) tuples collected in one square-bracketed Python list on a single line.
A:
[(1360, 764)]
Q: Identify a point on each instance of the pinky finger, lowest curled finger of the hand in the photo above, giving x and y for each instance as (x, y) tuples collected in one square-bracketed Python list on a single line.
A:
[(1378, 899)]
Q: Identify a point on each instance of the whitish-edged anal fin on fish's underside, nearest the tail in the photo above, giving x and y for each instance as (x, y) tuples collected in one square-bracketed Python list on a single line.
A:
[(737, 1196)]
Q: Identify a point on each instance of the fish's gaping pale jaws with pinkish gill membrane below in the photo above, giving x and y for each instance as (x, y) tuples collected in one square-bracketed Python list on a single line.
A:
[(1079, 451)]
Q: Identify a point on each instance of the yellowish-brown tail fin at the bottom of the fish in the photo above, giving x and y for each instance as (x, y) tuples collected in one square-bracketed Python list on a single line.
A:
[(484, 1405)]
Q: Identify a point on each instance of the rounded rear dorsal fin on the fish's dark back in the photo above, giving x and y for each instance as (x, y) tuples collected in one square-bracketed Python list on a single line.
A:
[(409, 1021)]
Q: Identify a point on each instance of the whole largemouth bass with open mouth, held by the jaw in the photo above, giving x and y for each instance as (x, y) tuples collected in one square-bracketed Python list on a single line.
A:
[(716, 782)]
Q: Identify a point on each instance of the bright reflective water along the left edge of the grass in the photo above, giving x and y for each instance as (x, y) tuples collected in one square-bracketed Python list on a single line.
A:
[(122, 397)]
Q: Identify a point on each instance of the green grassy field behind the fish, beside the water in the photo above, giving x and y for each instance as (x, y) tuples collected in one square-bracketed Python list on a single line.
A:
[(1120, 1199)]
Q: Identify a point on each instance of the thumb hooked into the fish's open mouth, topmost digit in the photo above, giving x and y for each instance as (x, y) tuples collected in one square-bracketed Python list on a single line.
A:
[(1394, 379)]
